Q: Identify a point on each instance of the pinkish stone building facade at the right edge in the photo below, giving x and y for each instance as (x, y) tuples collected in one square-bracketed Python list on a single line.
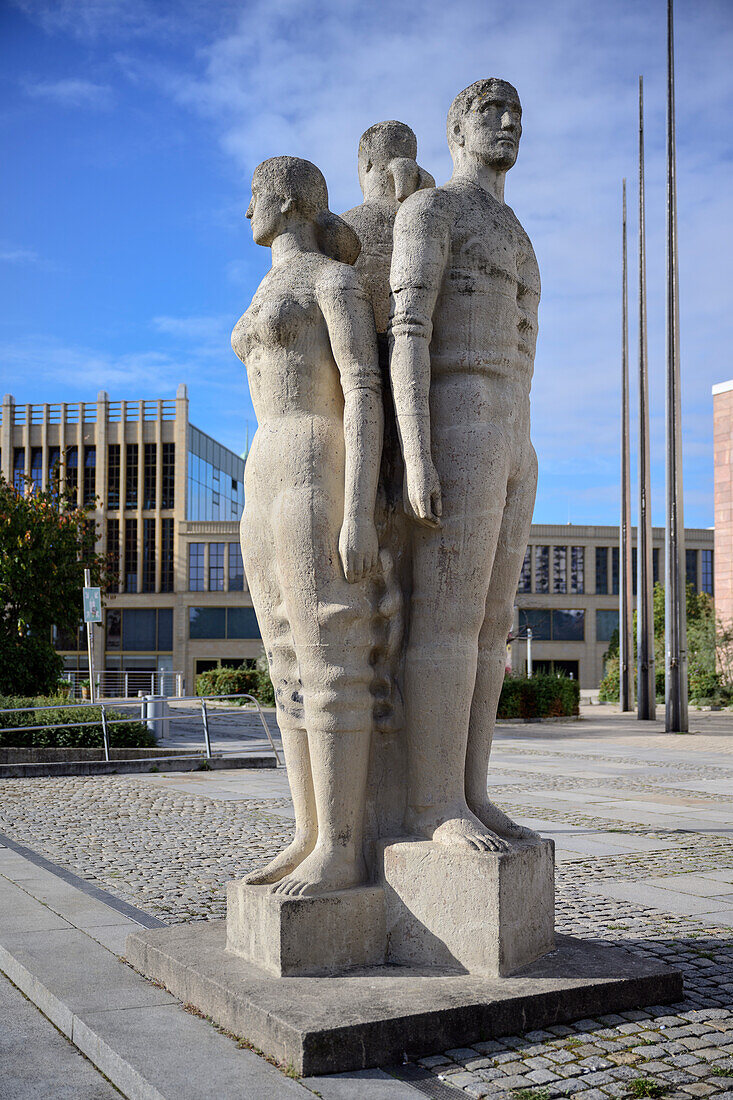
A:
[(724, 499)]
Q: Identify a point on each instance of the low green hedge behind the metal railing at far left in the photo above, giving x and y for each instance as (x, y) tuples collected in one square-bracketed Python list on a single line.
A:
[(125, 735)]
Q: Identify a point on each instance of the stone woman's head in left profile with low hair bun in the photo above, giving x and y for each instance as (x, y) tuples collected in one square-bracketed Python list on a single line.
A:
[(286, 191)]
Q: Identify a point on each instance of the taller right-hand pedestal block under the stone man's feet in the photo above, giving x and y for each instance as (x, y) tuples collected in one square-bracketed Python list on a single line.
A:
[(488, 914)]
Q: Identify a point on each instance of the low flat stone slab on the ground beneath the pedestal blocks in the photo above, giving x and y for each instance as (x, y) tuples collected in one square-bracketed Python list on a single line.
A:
[(373, 1017)]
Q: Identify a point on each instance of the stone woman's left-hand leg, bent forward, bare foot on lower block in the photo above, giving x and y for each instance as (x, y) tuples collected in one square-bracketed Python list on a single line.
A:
[(259, 557)]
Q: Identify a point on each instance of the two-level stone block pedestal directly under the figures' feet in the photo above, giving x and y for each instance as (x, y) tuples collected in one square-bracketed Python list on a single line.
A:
[(472, 912)]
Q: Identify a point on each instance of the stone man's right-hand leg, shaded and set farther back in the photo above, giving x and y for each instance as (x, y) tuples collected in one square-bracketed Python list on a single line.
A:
[(493, 650)]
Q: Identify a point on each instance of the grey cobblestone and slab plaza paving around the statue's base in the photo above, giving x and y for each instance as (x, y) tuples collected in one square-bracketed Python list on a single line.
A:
[(642, 824)]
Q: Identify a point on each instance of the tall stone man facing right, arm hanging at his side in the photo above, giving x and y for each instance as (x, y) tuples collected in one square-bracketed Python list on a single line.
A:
[(466, 291)]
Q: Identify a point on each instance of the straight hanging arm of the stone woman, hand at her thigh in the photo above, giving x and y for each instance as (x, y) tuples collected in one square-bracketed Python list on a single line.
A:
[(351, 322)]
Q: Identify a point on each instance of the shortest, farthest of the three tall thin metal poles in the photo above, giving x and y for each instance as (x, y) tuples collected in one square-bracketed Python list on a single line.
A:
[(626, 645)]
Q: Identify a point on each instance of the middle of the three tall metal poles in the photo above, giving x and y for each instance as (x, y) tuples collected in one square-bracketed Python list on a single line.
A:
[(646, 677)]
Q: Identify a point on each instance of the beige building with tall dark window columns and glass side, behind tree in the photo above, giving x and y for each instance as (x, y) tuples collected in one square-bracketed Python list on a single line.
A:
[(168, 500)]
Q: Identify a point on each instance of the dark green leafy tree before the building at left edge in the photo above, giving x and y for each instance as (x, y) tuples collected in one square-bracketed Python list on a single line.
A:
[(46, 545)]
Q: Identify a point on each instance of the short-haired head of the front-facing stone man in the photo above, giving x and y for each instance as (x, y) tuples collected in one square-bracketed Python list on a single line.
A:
[(485, 124)]
